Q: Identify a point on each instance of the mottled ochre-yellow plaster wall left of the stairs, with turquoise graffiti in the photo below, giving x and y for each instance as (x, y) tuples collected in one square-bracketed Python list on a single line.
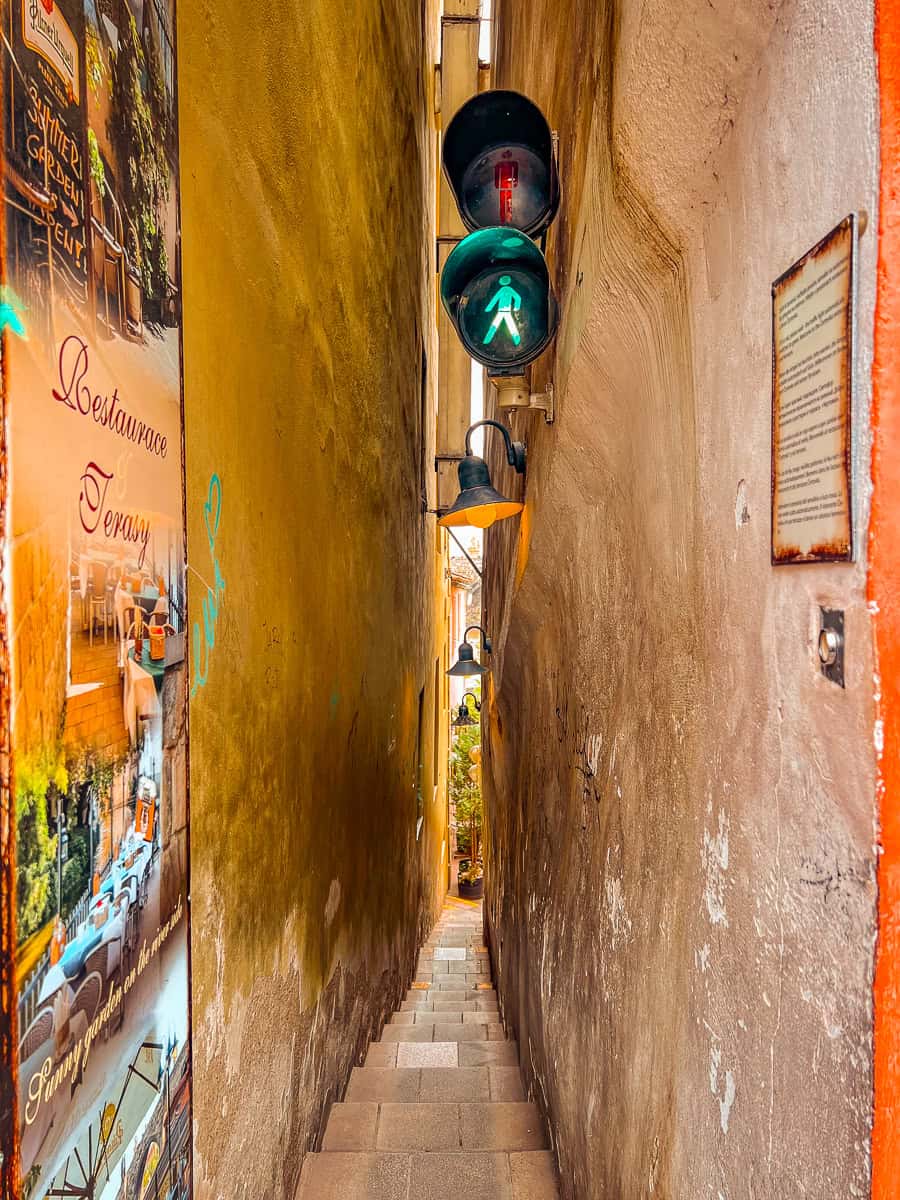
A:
[(307, 219)]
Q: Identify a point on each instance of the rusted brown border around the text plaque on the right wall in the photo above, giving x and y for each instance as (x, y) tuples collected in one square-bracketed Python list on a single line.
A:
[(844, 550)]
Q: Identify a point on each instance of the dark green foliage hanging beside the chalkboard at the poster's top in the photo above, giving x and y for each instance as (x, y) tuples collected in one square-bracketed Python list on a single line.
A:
[(141, 130)]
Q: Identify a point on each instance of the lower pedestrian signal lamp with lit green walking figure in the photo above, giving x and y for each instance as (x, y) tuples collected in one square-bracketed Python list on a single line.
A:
[(496, 291)]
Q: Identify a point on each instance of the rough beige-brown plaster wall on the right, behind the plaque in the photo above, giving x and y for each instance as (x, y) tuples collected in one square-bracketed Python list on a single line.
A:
[(682, 818)]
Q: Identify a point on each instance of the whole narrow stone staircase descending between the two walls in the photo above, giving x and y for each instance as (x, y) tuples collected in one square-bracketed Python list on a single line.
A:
[(439, 1112)]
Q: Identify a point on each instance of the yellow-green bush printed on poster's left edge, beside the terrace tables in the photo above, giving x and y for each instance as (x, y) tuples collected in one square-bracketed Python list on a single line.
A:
[(35, 849)]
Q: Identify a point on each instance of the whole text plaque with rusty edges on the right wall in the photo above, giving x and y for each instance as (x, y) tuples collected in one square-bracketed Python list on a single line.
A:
[(813, 355)]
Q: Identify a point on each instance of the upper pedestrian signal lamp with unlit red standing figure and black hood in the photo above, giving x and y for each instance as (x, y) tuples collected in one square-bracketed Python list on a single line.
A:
[(500, 161)]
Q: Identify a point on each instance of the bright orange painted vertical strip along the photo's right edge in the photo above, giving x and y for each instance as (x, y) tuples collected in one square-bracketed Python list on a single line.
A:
[(885, 599)]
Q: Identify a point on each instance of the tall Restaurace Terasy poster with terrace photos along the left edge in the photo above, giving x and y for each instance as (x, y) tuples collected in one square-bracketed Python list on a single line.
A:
[(95, 1094)]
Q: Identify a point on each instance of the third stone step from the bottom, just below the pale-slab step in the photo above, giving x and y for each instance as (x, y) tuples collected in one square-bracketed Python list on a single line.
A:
[(440, 1085)]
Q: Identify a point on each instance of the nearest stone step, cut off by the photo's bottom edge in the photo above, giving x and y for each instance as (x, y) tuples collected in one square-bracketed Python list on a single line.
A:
[(449, 1175)]
